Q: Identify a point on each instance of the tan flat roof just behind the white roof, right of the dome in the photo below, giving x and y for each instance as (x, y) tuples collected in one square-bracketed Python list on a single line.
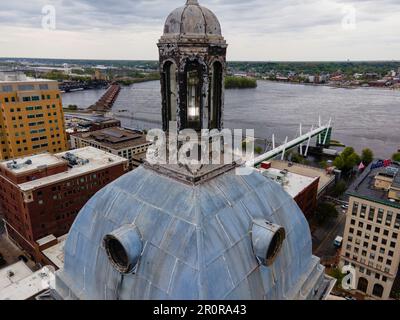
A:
[(325, 179)]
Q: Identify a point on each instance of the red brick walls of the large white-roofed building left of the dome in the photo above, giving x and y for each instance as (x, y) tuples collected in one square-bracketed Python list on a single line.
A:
[(54, 208)]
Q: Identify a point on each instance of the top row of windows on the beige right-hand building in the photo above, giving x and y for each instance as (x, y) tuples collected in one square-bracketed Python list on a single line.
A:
[(376, 215)]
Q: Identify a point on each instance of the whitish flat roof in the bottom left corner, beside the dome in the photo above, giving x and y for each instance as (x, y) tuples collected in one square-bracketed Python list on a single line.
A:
[(29, 286)]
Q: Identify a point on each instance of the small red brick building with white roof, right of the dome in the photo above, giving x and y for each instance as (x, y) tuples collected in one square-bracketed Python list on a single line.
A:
[(302, 189)]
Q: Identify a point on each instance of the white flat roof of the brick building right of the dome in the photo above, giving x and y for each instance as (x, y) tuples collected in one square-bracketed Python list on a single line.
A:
[(293, 183)]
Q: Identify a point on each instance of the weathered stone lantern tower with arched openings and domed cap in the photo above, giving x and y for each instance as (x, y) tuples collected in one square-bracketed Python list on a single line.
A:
[(192, 63)]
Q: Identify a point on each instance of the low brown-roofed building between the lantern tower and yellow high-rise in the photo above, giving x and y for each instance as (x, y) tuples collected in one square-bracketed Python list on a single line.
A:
[(122, 142)]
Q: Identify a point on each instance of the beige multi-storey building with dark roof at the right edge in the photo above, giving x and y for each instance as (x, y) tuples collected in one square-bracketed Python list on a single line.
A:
[(371, 238)]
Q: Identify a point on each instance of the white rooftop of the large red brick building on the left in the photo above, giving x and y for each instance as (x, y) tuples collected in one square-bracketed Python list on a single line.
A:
[(82, 161)]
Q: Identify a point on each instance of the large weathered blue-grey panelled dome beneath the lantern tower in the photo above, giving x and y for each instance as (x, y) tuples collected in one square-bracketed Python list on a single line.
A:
[(196, 242)]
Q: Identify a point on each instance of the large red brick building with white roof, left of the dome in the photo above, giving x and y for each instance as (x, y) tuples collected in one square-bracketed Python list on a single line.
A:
[(42, 194)]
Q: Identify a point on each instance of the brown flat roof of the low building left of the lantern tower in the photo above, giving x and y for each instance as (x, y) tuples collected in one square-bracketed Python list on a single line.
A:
[(114, 138)]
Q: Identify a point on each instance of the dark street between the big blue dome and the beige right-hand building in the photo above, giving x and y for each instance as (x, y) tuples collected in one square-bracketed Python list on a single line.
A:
[(324, 236)]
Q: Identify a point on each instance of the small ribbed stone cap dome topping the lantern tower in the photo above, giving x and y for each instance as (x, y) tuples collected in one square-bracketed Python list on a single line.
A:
[(192, 20)]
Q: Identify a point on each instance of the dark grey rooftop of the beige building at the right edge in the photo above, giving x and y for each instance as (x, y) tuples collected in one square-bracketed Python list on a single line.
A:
[(364, 186)]
